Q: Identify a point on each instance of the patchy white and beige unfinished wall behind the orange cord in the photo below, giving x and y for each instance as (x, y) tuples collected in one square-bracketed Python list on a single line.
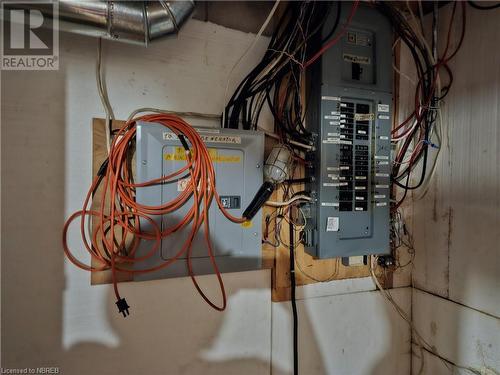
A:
[(51, 316)]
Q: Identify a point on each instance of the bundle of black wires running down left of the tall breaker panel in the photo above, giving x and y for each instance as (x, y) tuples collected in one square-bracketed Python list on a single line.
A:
[(277, 79)]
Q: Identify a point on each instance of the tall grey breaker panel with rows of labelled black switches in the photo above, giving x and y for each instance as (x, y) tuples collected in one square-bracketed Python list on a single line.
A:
[(350, 112)]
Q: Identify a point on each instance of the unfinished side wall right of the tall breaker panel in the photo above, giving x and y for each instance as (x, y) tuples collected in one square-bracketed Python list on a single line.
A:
[(456, 301)]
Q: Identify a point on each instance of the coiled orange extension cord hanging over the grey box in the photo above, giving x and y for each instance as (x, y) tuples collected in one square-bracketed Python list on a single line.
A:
[(120, 213)]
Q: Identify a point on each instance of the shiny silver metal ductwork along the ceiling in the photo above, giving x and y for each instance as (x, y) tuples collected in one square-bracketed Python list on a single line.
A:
[(128, 21)]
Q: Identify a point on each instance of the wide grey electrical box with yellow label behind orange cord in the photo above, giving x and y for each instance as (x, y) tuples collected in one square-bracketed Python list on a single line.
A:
[(237, 157)]
